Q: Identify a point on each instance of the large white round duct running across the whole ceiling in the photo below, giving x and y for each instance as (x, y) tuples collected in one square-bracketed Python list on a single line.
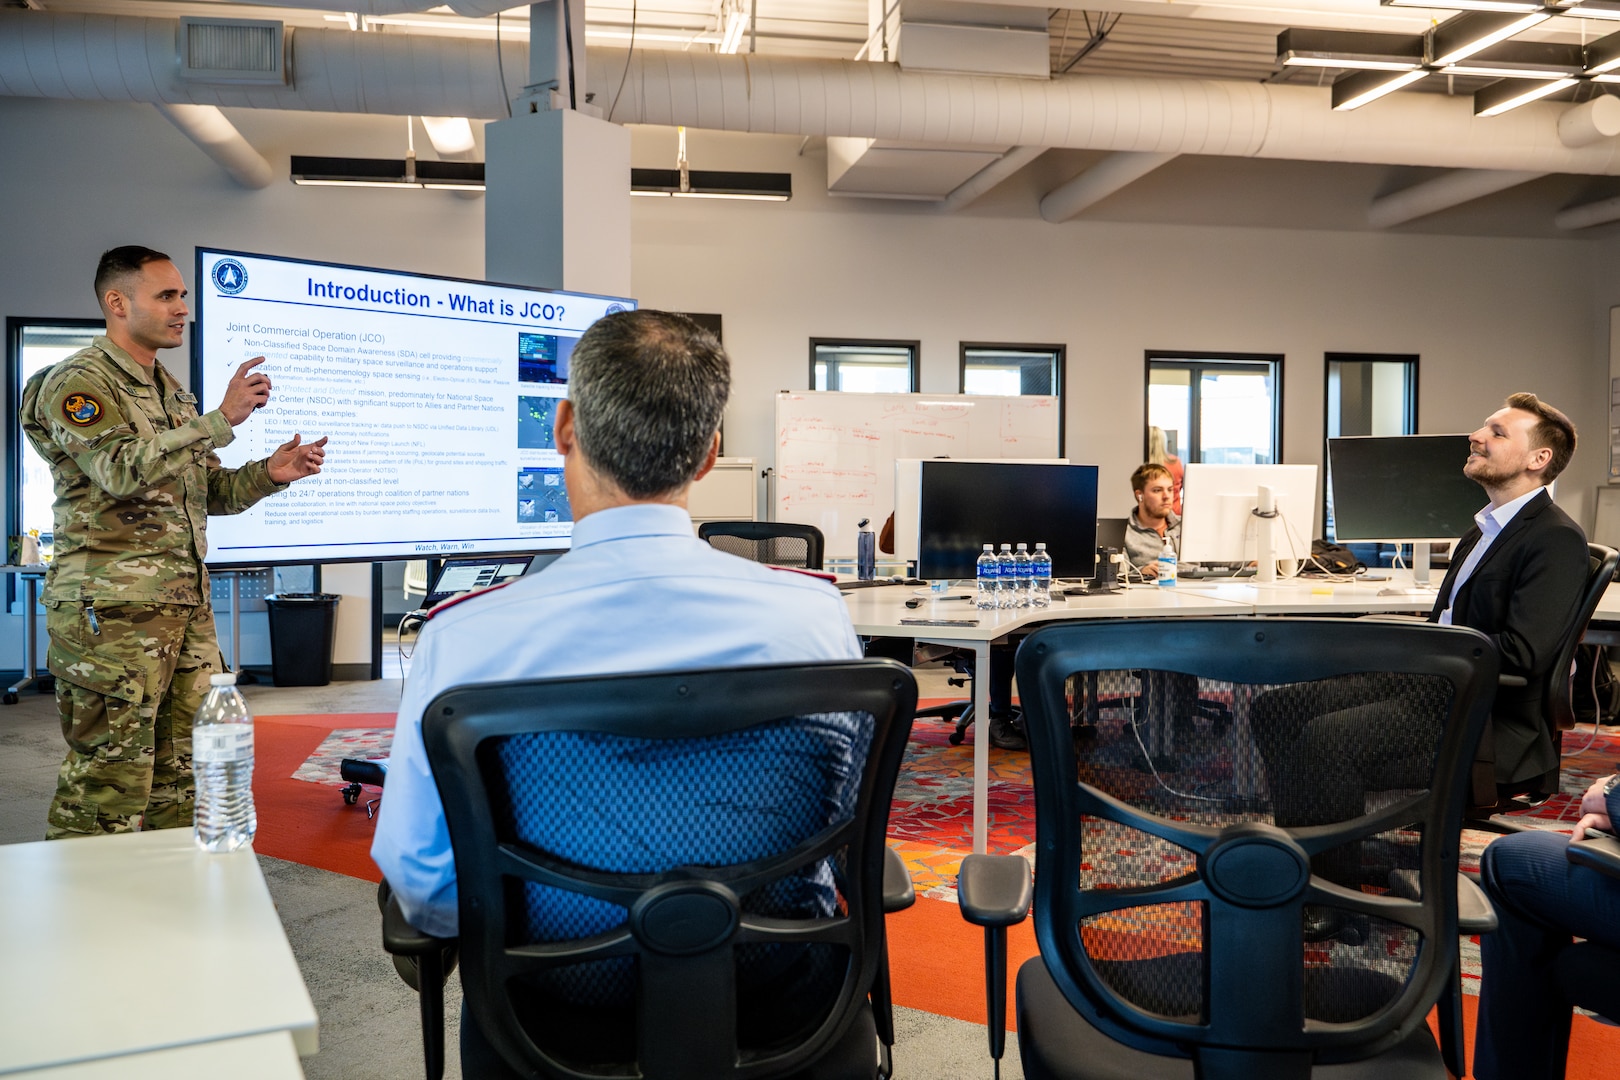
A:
[(132, 59)]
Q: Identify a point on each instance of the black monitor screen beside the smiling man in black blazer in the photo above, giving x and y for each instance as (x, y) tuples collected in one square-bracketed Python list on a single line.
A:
[(1402, 488)]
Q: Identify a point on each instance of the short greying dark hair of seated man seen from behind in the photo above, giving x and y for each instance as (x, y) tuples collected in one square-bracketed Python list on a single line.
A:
[(649, 391)]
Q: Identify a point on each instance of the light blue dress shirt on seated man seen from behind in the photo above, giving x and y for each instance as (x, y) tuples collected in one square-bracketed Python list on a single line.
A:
[(637, 593)]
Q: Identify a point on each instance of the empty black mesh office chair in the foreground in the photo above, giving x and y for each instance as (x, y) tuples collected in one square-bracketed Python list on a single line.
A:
[(1177, 924)]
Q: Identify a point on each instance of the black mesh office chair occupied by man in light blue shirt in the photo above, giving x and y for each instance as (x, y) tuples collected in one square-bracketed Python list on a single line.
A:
[(671, 875)]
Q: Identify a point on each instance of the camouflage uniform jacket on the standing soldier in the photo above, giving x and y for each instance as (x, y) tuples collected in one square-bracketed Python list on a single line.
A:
[(135, 477)]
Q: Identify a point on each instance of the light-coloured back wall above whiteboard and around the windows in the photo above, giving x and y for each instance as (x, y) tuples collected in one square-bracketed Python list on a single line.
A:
[(1486, 317)]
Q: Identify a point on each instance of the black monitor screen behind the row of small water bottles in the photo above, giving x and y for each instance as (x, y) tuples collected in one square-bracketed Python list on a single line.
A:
[(970, 504)]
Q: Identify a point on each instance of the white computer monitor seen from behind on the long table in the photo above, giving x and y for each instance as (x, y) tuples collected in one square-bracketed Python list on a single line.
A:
[(1219, 521)]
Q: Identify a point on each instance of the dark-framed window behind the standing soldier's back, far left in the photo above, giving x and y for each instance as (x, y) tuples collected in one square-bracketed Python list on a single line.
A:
[(32, 346)]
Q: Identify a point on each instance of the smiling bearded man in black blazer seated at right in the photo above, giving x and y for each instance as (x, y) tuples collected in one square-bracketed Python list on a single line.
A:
[(1519, 576)]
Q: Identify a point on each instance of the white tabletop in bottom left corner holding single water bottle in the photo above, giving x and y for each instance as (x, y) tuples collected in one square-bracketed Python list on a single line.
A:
[(135, 943)]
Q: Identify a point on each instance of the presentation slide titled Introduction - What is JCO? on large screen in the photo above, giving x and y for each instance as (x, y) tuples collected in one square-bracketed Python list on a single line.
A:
[(438, 398)]
